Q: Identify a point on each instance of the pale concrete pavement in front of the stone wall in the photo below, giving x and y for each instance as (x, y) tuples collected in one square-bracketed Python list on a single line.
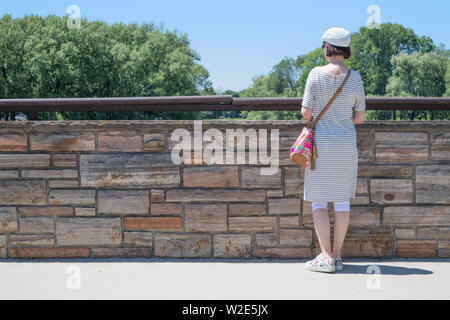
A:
[(225, 279)]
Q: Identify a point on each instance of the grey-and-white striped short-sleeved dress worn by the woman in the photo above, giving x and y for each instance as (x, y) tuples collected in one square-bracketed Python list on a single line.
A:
[(336, 165)]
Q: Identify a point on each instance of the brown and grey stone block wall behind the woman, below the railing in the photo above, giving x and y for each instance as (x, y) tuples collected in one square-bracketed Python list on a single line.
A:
[(110, 189)]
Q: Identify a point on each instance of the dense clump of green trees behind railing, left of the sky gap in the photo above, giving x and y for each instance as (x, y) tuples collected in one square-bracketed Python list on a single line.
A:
[(41, 58)]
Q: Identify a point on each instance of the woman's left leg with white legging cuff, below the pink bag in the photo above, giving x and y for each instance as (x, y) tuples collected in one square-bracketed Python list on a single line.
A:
[(322, 227)]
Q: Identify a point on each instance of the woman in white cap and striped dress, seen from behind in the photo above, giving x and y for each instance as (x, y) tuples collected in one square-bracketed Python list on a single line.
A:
[(336, 165)]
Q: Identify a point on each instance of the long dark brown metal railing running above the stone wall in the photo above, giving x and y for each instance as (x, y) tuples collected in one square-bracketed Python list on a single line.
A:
[(203, 103)]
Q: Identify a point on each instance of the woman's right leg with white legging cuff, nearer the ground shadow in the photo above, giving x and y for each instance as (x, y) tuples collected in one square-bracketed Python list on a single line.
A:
[(341, 221)]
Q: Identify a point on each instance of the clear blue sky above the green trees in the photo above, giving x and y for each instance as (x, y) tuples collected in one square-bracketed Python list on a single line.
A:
[(239, 39)]
